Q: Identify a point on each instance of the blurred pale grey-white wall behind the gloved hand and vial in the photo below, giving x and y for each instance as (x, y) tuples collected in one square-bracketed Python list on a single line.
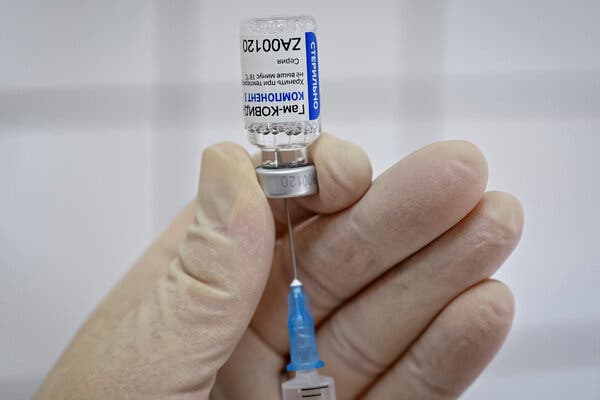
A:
[(105, 108)]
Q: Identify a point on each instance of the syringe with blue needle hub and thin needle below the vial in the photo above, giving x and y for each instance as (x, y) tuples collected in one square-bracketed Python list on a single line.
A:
[(304, 356)]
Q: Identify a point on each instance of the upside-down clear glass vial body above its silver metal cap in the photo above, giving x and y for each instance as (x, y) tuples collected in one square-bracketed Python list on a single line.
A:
[(280, 87)]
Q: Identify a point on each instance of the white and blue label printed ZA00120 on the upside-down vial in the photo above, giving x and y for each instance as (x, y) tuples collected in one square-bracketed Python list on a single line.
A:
[(280, 78)]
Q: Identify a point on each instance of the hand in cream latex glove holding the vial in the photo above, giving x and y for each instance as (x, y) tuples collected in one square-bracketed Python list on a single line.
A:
[(397, 271)]
